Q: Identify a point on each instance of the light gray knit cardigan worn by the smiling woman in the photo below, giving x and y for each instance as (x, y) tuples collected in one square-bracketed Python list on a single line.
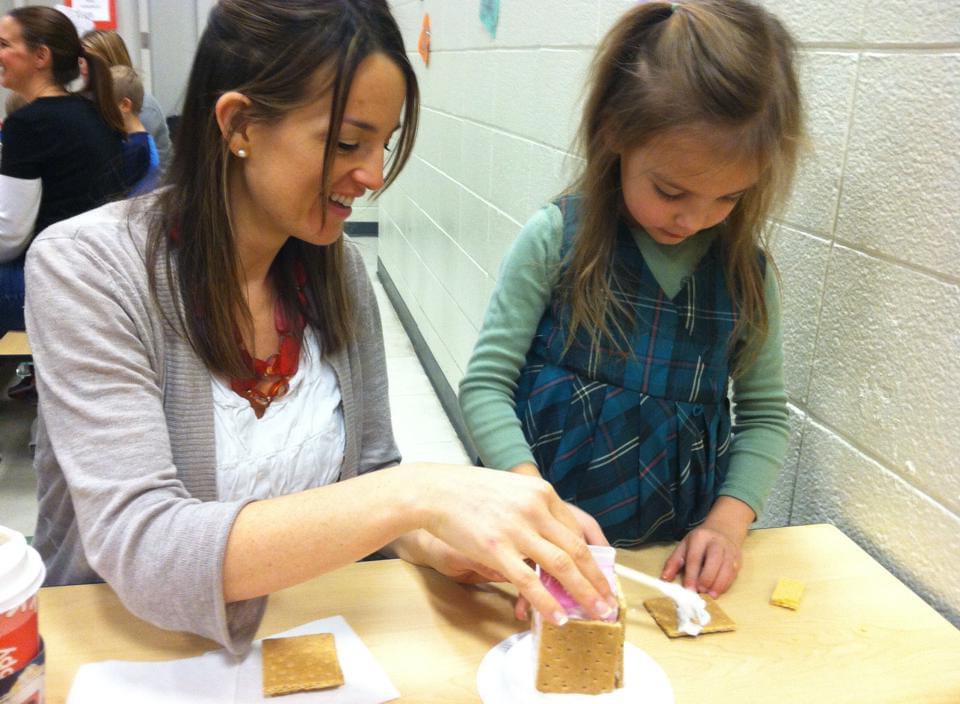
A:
[(126, 455)]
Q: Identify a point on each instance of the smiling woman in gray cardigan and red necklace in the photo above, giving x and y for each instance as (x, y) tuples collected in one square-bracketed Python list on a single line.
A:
[(212, 435)]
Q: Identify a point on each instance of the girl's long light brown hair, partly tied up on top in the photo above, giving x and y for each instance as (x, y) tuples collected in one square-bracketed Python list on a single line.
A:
[(723, 65)]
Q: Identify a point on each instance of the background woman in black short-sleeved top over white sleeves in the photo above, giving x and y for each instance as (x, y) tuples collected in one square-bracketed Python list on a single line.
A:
[(61, 152)]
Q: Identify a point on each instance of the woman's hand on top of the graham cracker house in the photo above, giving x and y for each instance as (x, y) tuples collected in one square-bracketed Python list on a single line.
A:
[(503, 520)]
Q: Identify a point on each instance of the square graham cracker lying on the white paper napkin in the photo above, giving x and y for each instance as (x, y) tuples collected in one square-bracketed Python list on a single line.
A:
[(300, 664)]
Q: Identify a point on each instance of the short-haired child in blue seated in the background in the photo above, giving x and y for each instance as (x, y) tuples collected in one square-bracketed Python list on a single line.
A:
[(140, 156)]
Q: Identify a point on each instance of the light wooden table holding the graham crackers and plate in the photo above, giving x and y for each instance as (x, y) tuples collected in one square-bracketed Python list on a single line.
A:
[(859, 636)]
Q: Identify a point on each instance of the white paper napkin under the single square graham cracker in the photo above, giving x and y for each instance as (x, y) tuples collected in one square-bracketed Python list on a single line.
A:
[(218, 678)]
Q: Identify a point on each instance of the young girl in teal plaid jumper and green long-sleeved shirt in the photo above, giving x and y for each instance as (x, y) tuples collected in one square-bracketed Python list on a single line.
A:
[(624, 308)]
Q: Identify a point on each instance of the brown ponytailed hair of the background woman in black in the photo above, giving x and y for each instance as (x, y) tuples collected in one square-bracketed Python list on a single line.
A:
[(44, 26)]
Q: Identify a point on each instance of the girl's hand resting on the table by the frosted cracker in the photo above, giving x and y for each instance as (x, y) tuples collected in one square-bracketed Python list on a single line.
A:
[(710, 555)]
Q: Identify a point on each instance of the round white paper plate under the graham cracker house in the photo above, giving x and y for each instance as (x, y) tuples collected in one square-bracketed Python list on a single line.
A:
[(506, 675)]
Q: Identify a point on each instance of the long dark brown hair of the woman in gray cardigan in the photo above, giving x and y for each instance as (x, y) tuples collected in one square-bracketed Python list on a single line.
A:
[(271, 51)]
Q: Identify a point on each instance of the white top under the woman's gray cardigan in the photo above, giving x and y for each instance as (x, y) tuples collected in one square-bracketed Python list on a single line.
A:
[(298, 443)]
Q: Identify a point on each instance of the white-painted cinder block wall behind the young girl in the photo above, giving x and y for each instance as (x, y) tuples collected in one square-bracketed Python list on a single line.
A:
[(868, 249)]
